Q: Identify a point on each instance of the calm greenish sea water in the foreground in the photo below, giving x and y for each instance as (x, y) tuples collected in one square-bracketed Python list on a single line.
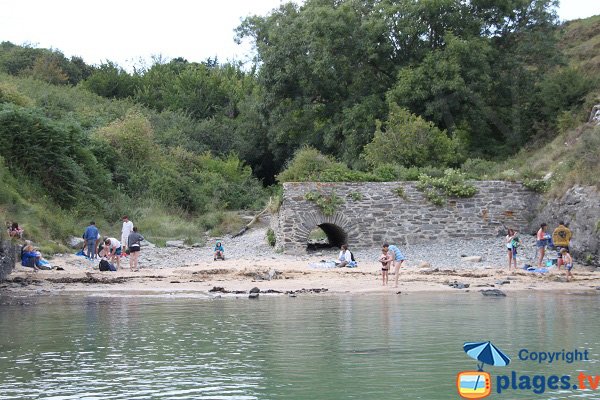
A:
[(308, 347)]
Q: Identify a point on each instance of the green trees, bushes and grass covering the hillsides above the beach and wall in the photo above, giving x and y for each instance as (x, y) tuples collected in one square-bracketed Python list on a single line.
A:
[(385, 90)]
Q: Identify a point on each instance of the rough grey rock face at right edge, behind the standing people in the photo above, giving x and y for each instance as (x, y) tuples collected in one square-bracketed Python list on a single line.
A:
[(579, 208)]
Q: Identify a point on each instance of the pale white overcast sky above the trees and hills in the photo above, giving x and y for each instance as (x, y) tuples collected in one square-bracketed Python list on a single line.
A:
[(131, 32)]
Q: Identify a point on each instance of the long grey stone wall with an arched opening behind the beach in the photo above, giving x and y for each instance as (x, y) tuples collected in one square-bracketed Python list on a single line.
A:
[(373, 213)]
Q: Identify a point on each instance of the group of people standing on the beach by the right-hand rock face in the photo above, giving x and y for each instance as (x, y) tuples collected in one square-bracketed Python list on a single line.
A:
[(559, 240)]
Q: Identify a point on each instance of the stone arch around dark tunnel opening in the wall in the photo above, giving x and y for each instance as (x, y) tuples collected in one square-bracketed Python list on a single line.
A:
[(337, 227)]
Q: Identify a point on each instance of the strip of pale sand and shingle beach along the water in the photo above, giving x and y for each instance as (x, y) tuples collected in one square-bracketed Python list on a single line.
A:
[(193, 271)]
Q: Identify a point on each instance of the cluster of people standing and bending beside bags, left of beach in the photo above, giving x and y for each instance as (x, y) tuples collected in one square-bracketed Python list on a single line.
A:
[(110, 250)]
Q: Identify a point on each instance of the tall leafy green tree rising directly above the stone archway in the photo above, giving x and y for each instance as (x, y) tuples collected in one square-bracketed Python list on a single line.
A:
[(325, 67)]
